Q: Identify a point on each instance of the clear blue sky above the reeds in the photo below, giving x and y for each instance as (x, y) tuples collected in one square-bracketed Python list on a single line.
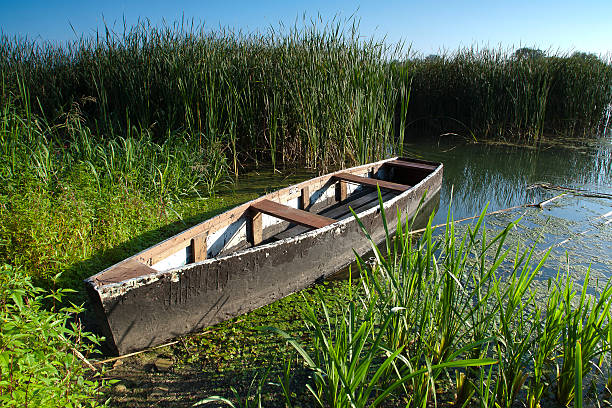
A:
[(430, 26)]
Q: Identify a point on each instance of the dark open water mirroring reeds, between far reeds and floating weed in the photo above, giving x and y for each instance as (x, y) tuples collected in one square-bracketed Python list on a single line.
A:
[(500, 175)]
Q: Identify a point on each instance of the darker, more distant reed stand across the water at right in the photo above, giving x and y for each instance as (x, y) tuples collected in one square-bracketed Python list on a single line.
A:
[(515, 95)]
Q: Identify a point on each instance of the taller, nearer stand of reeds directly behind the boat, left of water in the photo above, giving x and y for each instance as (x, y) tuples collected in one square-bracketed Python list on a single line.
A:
[(316, 92)]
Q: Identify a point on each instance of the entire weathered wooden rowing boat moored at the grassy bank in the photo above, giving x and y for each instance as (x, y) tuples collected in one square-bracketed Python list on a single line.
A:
[(253, 254)]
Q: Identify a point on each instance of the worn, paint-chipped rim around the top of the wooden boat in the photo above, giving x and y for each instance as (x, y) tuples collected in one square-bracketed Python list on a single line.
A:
[(148, 278)]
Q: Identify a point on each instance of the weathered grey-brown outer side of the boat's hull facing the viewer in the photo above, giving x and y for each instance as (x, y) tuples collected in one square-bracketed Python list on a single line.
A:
[(148, 310)]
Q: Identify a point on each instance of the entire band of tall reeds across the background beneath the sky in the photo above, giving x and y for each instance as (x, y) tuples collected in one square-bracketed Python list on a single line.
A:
[(317, 92)]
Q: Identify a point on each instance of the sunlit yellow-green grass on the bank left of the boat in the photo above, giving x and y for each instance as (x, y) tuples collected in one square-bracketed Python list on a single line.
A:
[(73, 201)]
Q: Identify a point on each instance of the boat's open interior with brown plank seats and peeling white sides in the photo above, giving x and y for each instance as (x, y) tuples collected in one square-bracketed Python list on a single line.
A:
[(287, 213)]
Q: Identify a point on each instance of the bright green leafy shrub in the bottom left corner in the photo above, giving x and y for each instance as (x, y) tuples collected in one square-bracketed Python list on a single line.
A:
[(43, 351)]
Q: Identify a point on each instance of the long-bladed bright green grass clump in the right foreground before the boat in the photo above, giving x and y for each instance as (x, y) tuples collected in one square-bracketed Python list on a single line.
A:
[(448, 305)]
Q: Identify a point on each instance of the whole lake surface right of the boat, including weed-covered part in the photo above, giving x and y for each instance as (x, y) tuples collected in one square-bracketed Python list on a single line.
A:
[(577, 226)]
